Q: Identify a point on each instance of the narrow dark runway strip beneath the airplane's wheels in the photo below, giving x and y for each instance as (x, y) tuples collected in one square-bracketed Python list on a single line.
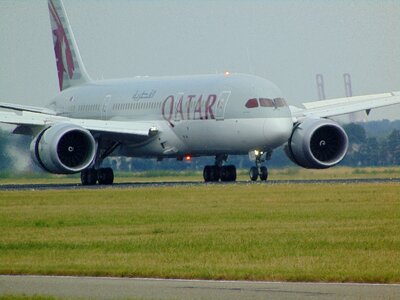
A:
[(130, 185)]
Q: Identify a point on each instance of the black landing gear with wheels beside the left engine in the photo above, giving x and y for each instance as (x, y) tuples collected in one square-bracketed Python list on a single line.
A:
[(104, 176)]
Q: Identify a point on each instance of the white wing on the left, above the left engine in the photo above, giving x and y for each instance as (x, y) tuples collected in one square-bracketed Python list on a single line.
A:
[(134, 131)]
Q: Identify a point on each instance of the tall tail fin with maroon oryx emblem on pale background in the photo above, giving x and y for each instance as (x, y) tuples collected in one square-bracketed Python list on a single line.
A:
[(70, 68)]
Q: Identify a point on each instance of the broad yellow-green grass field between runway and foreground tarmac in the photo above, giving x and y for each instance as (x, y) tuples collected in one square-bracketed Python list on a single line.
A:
[(258, 232)]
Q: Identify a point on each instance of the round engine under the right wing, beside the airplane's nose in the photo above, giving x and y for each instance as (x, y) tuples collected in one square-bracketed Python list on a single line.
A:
[(317, 144)]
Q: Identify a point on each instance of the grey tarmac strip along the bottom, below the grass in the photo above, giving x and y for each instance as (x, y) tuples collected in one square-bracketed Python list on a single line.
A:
[(138, 288)]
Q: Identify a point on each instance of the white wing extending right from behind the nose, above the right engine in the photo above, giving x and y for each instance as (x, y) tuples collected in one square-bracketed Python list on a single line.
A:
[(342, 106)]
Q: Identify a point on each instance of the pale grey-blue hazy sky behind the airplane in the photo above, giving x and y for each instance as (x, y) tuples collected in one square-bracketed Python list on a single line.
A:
[(285, 41)]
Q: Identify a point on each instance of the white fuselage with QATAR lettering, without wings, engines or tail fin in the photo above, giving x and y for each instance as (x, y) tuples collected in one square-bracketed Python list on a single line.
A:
[(196, 115)]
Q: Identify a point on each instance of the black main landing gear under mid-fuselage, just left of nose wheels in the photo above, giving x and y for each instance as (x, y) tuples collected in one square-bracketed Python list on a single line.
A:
[(218, 171)]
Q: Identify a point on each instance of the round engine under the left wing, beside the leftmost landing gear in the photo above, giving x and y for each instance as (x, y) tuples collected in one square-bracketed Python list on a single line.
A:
[(63, 149)]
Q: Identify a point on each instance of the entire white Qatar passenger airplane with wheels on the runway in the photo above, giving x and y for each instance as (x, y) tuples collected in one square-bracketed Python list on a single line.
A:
[(175, 117)]
